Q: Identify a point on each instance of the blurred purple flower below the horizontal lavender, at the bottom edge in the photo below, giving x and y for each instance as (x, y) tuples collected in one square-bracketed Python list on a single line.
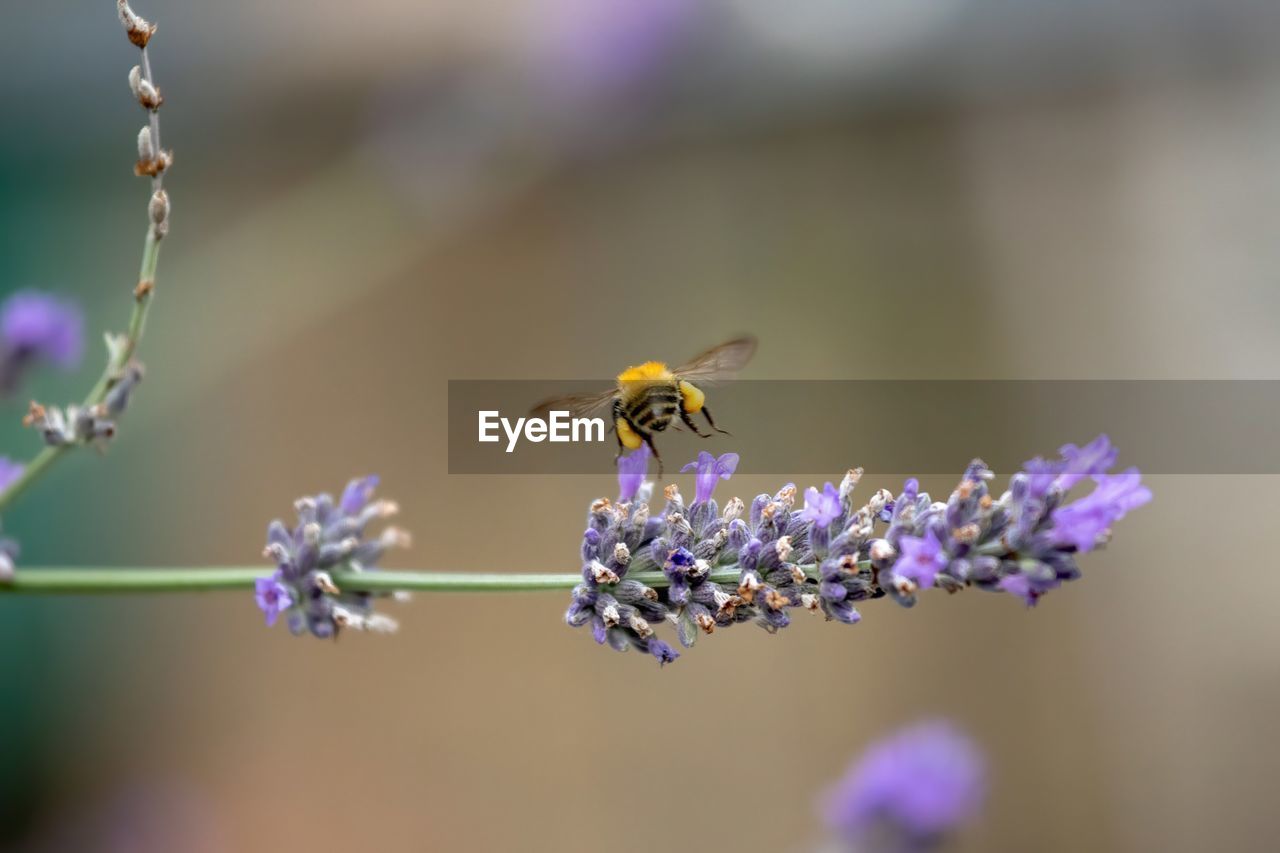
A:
[(916, 786)]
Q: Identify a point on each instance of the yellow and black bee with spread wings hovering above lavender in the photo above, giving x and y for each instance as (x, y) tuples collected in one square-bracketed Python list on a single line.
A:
[(650, 396)]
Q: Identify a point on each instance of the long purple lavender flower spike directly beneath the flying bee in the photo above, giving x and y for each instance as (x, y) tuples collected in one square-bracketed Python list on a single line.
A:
[(703, 569)]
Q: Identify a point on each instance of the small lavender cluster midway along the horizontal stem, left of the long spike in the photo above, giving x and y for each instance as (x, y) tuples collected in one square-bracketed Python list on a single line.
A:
[(328, 537)]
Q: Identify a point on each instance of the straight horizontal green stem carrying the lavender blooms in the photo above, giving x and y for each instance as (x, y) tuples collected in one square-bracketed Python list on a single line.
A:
[(170, 581)]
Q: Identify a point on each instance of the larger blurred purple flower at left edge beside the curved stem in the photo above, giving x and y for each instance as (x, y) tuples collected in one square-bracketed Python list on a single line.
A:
[(36, 327)]
